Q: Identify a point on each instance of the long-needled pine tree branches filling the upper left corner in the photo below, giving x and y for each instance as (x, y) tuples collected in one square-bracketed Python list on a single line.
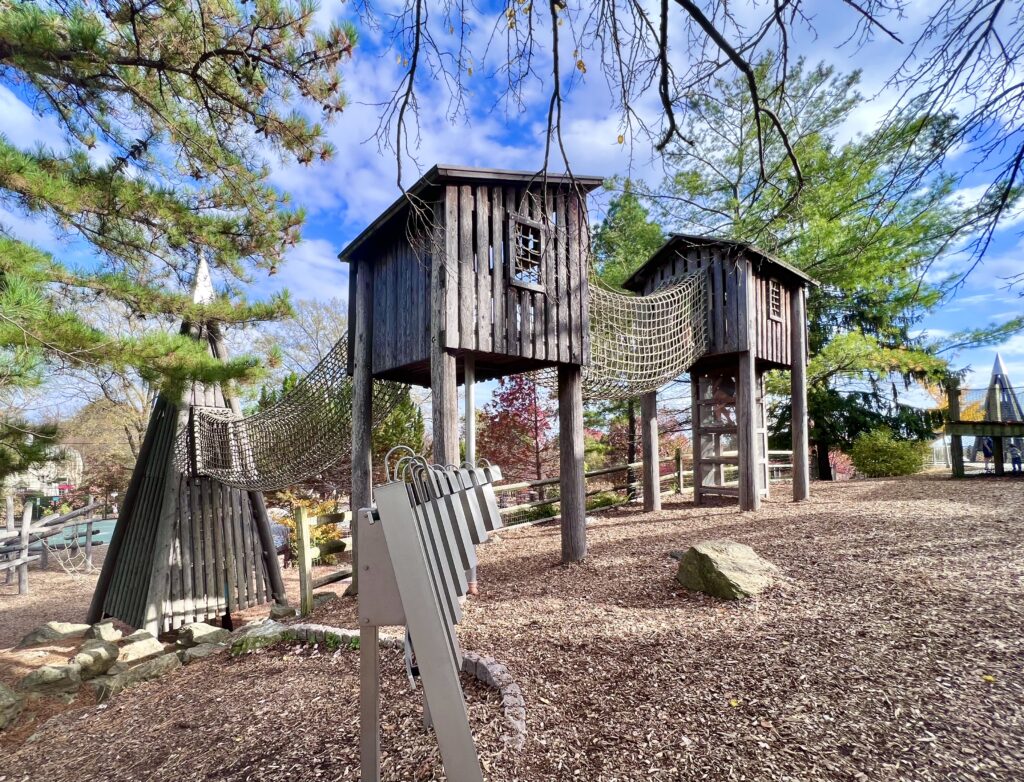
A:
[(169, 113)]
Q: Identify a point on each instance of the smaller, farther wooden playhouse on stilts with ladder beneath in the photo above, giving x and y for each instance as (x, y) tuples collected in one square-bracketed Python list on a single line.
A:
[(757, 322)]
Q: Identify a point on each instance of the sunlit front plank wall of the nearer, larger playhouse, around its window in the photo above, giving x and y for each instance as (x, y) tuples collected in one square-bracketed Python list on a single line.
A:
[(489, 314)]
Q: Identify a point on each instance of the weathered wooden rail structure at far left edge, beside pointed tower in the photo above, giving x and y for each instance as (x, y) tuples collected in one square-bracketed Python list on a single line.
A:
[(17, 545)]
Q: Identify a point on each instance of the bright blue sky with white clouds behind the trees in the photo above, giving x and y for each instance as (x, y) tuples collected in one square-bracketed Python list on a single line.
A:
[(344, 196)]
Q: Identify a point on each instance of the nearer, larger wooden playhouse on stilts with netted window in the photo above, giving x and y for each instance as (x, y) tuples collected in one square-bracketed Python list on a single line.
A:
[(475, 274)]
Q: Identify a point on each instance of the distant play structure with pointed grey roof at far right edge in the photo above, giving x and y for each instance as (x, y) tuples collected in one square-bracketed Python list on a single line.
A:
[(994, 412)]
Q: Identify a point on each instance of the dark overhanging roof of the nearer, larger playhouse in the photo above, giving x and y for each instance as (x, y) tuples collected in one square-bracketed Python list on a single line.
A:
[(446, 175)]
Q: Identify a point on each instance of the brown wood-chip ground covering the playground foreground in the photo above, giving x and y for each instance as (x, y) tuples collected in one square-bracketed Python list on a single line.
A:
[(893, 650)]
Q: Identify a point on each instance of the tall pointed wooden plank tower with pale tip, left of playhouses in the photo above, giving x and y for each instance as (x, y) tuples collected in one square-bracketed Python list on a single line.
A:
[(187, 548)]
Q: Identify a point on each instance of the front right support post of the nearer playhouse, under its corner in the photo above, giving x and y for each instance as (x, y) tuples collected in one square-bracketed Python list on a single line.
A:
[(572, 481)]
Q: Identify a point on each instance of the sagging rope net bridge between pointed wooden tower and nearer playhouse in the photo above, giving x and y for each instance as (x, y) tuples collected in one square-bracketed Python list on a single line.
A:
[(304, 435)]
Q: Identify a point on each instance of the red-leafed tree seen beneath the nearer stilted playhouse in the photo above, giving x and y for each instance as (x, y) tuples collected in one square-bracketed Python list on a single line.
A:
[(517, 429)]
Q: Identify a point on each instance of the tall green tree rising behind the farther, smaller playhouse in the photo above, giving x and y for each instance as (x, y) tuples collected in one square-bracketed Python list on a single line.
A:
[(871, 254)]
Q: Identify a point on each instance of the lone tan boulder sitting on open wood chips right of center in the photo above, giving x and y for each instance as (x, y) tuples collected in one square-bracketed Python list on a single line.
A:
[(726, 570)]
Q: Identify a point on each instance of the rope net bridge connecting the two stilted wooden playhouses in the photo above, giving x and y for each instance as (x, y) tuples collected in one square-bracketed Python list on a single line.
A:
[(639, 343)]
